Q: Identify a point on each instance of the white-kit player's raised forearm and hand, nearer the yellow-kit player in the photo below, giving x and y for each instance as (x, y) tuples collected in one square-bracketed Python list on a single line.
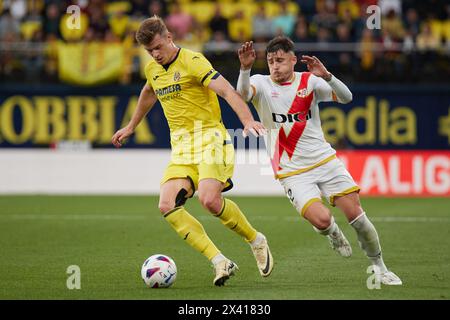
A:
[(247, 56)]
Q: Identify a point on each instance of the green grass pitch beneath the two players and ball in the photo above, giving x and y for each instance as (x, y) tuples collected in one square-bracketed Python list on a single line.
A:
[(109, 237)]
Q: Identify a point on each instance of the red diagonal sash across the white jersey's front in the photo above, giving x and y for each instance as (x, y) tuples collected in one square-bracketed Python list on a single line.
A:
[(300, 106)]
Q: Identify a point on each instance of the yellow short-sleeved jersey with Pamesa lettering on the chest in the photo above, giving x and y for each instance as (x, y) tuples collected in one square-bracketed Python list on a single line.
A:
[(181, 88)]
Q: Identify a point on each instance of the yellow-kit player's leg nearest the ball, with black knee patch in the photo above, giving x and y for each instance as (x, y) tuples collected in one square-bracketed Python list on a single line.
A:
[(174, 194)]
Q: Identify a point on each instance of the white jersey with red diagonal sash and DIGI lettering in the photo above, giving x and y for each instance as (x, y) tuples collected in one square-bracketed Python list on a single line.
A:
[(290, 111)]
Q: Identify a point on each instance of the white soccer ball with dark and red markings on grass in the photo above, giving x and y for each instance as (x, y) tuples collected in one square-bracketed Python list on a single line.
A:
[(159, 271)]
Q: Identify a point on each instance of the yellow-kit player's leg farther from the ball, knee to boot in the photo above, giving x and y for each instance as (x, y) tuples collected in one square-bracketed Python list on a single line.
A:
[(210, 195)]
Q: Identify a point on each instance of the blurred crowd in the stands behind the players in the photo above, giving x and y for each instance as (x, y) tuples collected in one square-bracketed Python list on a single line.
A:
[(411, 45)]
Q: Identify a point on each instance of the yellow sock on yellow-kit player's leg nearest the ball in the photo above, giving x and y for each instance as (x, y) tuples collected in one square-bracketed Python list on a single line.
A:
[(192, 231)]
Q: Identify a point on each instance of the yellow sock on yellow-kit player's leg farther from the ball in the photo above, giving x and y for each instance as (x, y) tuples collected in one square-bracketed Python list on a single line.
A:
[(232, 217)]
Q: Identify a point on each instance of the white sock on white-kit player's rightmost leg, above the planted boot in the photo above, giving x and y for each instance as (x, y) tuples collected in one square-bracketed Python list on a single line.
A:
[(368, 240)]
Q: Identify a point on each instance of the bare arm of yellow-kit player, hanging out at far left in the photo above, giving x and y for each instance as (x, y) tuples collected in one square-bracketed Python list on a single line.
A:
[(146, 101)]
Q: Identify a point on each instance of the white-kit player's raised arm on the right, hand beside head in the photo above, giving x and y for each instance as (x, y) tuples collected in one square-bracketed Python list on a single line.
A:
[(333, 84)]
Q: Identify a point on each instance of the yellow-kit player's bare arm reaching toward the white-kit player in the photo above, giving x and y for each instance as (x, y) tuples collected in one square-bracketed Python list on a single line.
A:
[(224, 89)]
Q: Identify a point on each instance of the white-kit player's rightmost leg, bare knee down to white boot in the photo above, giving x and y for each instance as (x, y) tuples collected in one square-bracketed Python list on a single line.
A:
[(367, 236)]
